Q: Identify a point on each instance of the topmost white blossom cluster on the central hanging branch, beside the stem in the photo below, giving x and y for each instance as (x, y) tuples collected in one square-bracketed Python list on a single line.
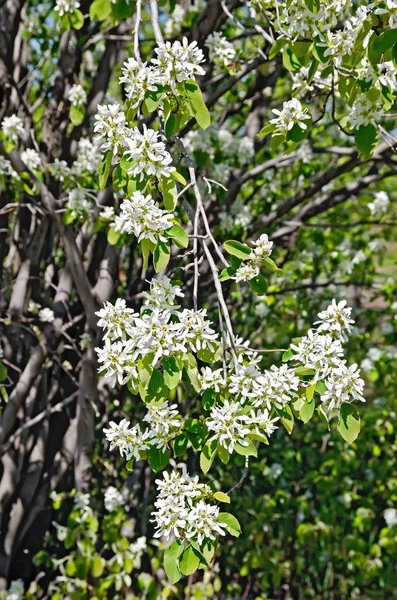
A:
[(178, 62)]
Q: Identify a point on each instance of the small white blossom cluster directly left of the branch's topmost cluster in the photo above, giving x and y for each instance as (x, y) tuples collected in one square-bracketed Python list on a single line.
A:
[(138, 80)]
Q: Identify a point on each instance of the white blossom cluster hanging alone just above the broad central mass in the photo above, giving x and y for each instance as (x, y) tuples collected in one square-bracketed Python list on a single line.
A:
[(141, 216)]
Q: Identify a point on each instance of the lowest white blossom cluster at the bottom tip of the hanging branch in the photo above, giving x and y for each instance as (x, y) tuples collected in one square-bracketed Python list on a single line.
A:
[(181, 509)]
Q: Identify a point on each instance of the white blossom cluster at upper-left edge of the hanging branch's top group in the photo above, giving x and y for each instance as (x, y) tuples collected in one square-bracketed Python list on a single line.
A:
[(110, 123)]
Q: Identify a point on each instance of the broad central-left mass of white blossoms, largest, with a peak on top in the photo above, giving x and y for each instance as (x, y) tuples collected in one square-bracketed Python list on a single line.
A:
[(153, 333)]
